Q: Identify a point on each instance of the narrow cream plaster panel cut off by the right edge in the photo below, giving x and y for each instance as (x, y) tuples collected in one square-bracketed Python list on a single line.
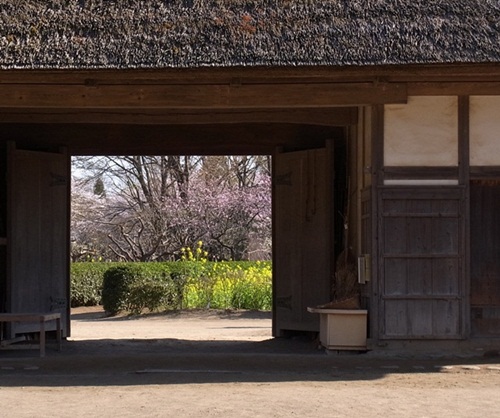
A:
[(484, 130)]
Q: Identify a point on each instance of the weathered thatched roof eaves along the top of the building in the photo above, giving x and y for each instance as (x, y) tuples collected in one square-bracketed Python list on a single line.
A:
[(86, 34)]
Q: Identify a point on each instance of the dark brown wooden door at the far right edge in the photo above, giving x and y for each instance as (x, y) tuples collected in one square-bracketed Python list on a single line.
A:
[(485, 258)]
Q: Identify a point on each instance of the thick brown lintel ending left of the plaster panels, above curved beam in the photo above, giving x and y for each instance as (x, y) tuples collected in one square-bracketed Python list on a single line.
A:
[(201, 96)]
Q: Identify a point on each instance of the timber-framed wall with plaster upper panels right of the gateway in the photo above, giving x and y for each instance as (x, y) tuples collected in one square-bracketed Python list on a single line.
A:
[(437, 275)]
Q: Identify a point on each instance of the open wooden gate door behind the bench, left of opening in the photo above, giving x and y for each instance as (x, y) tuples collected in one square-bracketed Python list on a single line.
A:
[(37, 236)]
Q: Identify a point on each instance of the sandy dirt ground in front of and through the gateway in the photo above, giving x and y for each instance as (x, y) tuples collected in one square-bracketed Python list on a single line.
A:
[(226, 364)]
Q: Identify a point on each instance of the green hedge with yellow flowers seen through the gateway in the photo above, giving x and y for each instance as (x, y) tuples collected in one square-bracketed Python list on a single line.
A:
[(177, 285)]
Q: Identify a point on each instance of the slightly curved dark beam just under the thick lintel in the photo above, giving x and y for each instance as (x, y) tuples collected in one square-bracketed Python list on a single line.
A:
[(337, 116)]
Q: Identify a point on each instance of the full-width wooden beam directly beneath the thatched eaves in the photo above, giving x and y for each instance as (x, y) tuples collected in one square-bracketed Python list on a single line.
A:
[(258, 74)]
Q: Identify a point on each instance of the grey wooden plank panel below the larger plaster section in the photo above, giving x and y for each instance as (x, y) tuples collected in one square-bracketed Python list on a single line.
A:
[(421, 263)]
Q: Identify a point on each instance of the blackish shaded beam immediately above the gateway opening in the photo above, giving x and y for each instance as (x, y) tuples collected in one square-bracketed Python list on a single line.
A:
[(110, 139)]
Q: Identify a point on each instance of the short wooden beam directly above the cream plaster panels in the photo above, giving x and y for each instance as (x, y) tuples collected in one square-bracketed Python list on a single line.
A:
[(454, 88)]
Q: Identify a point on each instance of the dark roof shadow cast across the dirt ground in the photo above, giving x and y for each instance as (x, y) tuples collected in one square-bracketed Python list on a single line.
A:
[(127, 362)]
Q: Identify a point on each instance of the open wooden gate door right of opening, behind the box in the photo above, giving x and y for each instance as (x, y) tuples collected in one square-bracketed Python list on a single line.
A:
[(303, 237)]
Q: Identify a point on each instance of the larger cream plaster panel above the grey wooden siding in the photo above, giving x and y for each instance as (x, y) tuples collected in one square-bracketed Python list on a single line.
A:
[(423, 132)]
